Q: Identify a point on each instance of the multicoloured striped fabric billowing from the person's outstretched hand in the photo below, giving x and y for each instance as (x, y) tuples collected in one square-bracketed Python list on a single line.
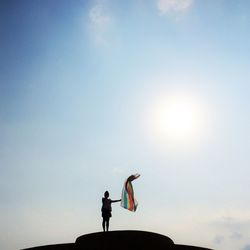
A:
[(128, 200)]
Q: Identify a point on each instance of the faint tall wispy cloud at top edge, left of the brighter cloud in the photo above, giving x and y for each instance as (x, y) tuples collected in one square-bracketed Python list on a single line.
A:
[(99, 22)]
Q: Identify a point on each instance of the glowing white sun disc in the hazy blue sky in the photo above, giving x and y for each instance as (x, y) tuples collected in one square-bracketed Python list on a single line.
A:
[(177, 119)]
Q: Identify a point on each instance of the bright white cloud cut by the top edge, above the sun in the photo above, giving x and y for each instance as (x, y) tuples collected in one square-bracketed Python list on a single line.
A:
[(165, 6)]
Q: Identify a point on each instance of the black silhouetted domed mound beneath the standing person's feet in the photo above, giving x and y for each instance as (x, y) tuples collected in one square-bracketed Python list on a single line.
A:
[(120, 240)]
